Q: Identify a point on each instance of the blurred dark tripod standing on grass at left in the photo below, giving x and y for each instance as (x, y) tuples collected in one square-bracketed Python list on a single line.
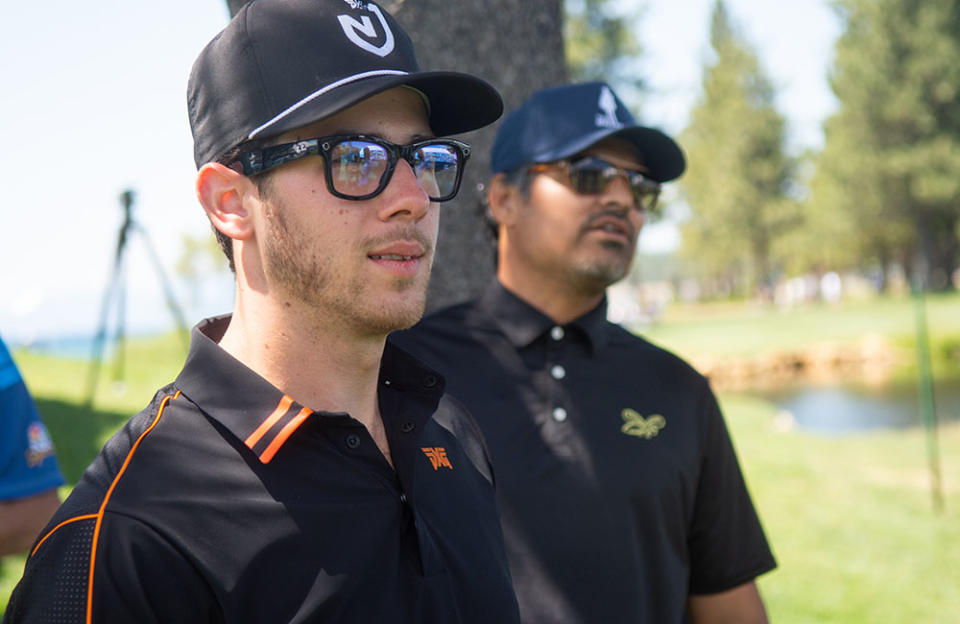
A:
[(115, 295)]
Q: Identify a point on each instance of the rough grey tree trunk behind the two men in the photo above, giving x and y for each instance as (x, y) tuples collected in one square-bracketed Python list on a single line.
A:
[(515, 45)]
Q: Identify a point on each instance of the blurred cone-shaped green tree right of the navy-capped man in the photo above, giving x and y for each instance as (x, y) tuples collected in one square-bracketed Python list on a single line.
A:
[(738, 173)]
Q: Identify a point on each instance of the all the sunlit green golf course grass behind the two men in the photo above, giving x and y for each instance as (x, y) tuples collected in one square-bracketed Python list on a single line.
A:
[(850, 517)]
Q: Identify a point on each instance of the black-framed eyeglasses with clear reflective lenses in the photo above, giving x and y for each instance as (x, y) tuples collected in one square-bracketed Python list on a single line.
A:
[(358, 167)]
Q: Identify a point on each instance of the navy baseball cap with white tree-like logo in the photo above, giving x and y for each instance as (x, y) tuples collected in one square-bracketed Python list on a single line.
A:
[(559, 122)]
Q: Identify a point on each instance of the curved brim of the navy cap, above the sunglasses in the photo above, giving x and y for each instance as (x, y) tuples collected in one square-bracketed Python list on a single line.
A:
[(660, 154)]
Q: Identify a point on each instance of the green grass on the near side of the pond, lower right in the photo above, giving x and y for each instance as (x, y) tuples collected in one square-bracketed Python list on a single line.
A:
[(851, 521)]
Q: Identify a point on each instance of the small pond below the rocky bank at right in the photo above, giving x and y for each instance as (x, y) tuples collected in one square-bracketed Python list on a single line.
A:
[(850, 407)]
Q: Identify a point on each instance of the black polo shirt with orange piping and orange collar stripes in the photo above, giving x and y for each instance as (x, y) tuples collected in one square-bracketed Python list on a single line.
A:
[(227, 501)]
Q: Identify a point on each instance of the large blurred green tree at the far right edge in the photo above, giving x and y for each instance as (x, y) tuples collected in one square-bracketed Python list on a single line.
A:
[(888, 181)]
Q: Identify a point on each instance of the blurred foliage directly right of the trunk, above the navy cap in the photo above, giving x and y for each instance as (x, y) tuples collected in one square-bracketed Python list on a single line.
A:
[(601, 45)]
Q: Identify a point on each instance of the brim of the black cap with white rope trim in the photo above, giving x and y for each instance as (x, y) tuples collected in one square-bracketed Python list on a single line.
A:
[(458, 102)]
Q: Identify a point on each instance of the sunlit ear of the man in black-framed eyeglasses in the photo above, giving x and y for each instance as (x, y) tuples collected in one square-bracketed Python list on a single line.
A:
[(221, 191)]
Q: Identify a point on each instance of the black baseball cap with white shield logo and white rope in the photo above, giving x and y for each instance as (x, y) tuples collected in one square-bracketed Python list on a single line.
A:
[(283, 64)]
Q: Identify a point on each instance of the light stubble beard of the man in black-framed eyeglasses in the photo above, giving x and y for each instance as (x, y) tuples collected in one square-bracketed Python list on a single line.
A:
[(307, 275)]
